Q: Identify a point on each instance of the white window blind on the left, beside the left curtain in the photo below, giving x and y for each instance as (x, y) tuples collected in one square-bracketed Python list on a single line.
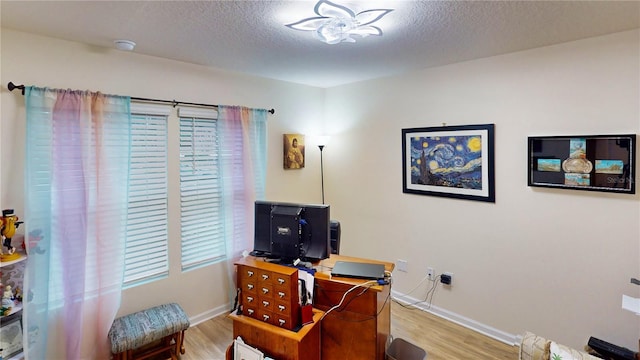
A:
[(146, 256)]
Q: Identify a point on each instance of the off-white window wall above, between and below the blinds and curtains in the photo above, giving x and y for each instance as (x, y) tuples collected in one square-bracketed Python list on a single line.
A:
[(42, 61)]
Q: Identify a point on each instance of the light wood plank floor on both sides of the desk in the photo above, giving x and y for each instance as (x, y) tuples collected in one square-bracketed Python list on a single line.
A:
[(443, 340)]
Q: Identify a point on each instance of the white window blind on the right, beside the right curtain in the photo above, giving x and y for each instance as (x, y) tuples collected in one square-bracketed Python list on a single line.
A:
[(200, 189)]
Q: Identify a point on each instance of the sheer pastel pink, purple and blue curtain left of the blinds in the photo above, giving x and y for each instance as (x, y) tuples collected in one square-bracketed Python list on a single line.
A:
[(77, 178)]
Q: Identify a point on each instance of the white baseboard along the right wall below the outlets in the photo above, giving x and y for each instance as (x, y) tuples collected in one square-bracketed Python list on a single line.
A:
[(509, 339)]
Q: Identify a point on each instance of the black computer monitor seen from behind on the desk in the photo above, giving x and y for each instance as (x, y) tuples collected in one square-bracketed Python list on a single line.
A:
[(290, 231)]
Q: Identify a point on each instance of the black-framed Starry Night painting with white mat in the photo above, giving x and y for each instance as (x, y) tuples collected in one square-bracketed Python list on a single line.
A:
[(449, 161)]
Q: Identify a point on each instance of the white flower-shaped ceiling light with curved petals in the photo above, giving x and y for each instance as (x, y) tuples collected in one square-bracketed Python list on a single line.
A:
[(336, 23)]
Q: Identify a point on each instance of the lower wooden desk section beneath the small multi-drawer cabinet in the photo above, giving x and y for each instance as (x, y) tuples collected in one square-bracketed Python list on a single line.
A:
[(279, 343)]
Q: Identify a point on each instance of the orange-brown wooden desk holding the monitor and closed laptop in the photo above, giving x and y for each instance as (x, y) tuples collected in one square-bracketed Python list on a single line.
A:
[(358, 330)]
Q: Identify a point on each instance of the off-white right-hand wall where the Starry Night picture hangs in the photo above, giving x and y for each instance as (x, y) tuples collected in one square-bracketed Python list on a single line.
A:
[(555, 262)]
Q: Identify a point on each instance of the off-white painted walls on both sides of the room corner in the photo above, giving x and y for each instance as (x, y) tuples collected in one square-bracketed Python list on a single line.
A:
[(555, 262)]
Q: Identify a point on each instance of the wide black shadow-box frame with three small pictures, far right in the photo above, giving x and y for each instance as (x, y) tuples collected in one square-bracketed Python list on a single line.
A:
[(583, 162)]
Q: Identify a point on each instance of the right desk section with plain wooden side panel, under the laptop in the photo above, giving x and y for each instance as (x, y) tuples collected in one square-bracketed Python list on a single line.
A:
[(358, 330)]
